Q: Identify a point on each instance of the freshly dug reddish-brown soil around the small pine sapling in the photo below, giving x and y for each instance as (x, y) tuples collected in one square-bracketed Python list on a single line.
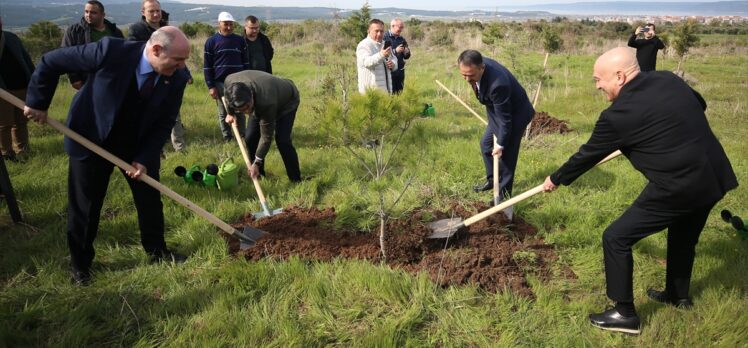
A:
[(493, 253)]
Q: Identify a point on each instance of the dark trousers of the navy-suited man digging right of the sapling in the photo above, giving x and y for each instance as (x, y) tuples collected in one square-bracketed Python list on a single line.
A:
[(507, 161)]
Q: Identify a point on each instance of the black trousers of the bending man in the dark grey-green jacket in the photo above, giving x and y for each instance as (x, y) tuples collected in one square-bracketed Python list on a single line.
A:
[(283, 129)]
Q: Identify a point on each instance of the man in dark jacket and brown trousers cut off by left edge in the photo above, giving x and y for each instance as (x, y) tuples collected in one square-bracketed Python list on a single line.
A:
[(15, 71)]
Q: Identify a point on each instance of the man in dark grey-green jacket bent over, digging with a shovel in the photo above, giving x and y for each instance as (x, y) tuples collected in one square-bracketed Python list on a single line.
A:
[(274, 101)]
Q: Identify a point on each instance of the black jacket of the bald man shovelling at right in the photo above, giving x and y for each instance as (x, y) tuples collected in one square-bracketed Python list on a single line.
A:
[(658, 123)]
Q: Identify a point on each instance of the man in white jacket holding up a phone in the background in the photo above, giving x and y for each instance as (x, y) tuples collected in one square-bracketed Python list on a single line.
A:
[(374, 60)]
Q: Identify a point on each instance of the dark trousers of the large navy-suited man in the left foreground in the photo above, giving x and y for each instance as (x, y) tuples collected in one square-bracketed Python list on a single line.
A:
[(87, 185)]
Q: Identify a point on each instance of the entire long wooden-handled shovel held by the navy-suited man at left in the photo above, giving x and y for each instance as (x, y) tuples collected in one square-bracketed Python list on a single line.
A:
[(247, 237)]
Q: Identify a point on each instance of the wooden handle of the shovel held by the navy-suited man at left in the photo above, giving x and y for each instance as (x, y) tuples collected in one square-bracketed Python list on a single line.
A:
[(125, 166)]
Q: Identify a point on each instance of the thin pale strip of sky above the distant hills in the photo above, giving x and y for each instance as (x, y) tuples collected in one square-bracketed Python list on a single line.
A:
[(412, 4)]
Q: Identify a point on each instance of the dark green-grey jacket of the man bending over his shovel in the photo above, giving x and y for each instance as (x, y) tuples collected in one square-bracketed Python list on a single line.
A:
[(274, 97)]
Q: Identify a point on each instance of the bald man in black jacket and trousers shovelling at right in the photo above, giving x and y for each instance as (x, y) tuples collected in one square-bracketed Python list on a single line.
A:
[(658, 122)]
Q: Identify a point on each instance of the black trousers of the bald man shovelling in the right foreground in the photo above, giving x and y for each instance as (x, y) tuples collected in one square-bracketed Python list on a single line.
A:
[(684, 229)]
